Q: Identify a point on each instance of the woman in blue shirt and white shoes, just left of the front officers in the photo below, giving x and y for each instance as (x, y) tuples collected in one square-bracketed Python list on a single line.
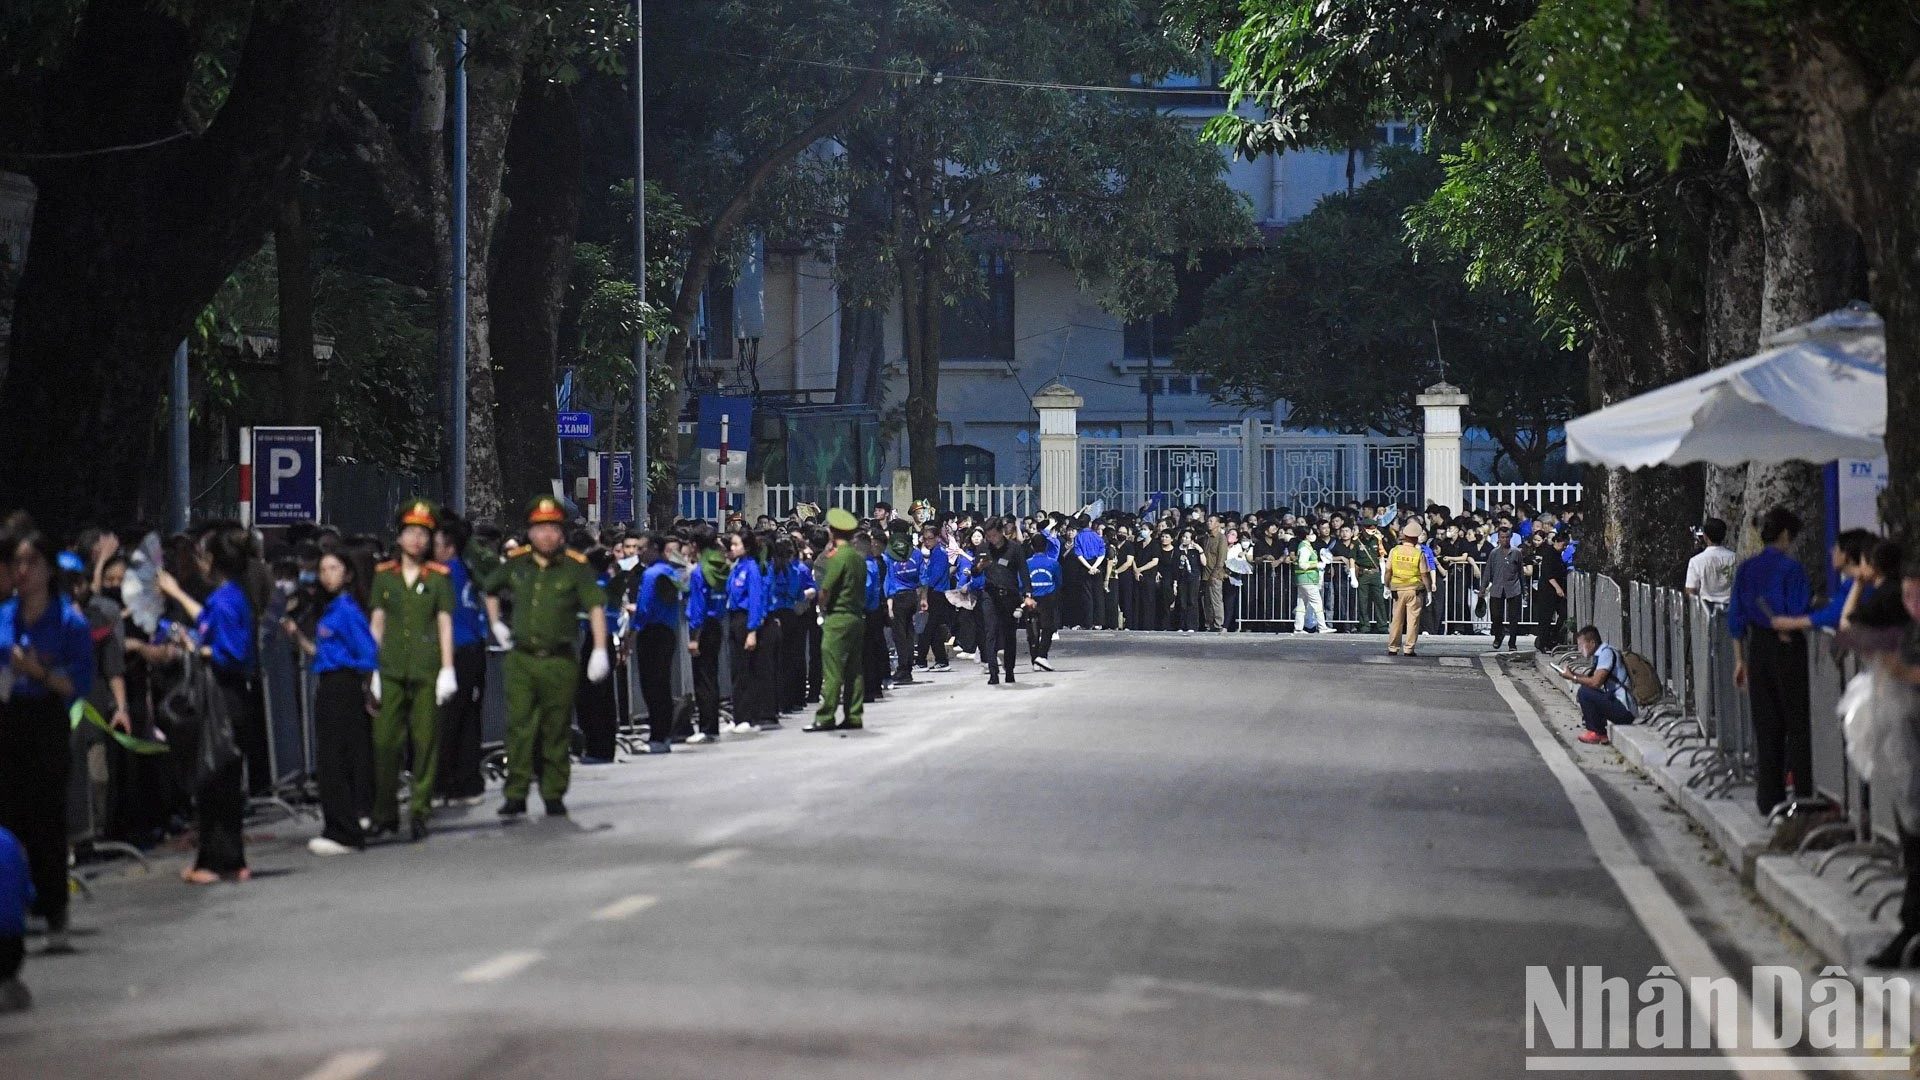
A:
[(345, 656)]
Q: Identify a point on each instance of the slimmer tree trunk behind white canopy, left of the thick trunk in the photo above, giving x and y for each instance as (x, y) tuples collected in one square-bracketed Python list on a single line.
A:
[(1737, 270)]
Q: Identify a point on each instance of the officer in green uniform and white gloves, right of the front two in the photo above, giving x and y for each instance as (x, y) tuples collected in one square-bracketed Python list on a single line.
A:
[(552, 587)]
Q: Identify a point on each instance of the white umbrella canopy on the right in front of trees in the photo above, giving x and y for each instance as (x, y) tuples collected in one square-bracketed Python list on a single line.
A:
[(1817, 393)]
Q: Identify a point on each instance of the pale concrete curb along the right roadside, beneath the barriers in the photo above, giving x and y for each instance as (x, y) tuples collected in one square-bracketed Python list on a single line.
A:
[(1821, 908)]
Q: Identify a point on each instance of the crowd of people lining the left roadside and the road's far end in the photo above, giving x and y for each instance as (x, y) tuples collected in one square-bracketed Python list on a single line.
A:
[(162, 645)]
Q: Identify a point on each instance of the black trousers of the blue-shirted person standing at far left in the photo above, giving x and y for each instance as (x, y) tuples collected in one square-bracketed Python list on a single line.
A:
[(36, 768)]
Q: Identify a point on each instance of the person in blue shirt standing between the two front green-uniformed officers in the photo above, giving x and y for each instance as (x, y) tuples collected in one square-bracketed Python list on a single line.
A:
[(460, 777)]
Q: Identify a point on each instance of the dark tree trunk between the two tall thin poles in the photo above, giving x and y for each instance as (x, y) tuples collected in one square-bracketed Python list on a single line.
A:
[(537, 249)]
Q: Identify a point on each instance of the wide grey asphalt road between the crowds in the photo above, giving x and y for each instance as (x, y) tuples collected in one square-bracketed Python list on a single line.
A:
[(1176, 856)]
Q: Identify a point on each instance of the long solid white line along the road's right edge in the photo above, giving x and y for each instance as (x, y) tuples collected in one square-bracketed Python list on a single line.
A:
[(1677, 939)]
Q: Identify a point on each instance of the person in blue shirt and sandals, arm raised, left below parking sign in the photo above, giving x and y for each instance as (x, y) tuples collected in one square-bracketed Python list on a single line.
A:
[(228, 641)]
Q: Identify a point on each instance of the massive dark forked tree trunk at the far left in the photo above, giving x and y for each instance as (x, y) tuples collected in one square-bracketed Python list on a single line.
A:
[(128, 249)]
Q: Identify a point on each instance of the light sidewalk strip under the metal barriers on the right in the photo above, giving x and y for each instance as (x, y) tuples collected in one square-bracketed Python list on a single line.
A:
[(1844, 906)]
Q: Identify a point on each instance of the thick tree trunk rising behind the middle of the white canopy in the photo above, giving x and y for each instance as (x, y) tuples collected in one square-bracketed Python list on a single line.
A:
[(1810, 258)]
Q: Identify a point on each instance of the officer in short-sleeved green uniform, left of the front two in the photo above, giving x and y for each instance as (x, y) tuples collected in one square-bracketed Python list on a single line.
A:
[(414, 624)]
